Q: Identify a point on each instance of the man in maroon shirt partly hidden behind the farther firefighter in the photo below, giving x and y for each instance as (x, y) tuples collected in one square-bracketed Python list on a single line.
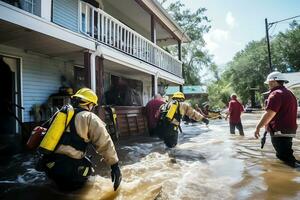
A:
[(152, 112)]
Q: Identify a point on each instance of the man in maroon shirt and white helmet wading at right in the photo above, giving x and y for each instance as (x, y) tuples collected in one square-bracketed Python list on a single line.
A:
[(280, 118)]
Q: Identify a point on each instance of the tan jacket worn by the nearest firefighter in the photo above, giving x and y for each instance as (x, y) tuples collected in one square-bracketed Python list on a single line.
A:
[(92, 129)]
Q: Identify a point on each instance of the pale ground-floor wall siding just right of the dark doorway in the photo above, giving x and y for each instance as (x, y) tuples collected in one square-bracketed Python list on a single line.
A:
[(40, 77)]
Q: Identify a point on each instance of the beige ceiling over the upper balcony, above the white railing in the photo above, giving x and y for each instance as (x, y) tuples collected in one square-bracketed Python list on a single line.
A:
[(143, 19)]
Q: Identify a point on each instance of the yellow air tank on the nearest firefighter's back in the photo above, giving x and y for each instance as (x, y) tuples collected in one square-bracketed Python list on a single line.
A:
[(56, 129)]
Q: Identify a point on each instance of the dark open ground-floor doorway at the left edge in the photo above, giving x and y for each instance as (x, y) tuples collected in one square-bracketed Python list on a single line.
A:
[(10, 100)]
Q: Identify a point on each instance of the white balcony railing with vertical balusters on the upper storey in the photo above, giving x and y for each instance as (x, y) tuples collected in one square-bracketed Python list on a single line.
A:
[(110, 31)]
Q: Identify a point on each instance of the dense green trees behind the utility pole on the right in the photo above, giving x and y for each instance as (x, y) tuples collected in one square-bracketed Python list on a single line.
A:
[(249, 67)]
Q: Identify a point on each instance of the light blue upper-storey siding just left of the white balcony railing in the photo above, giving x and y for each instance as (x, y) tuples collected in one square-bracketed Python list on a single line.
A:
[(65, 13)]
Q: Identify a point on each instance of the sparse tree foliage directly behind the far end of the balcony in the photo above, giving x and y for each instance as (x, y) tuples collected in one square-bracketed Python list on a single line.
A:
[(194, 24)]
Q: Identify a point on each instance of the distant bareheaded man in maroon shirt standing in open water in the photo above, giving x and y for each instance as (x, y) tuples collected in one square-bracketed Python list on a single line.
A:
[(235, 110)]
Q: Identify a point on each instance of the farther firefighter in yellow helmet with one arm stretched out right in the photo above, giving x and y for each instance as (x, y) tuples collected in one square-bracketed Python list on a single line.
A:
[(170, 117)]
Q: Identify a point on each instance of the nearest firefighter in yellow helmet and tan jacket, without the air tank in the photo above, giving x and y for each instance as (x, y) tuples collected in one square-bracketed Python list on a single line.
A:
[(67, 165)]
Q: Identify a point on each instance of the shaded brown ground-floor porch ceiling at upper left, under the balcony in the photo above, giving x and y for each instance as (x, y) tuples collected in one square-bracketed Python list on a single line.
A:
[(32, 41)]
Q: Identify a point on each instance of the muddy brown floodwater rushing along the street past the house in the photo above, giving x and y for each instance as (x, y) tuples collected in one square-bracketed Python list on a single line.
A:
[(208, 163)]
